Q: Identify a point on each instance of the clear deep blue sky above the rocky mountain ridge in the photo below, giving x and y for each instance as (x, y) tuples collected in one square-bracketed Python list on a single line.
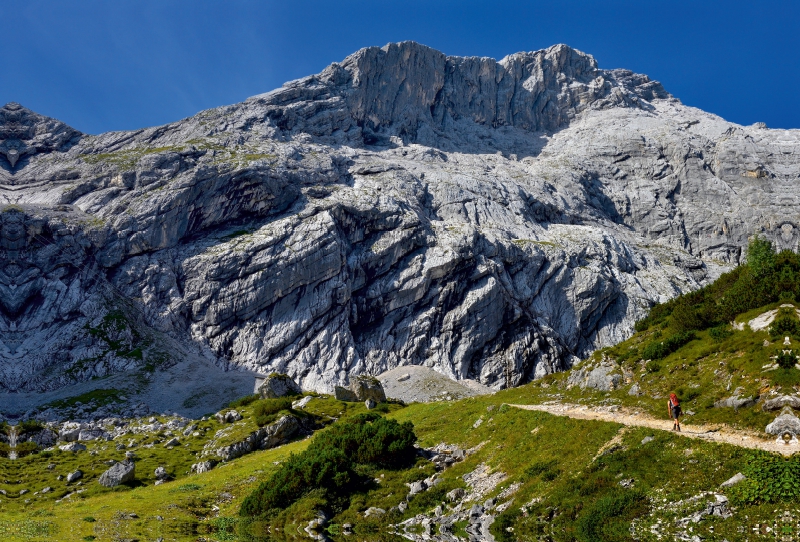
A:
[(119, 64)]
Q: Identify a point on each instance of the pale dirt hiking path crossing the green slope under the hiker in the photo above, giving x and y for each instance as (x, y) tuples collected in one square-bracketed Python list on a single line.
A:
[(713, 433)]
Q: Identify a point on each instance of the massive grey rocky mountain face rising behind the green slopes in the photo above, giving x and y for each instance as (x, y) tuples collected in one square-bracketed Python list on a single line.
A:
[(494, 220)]
